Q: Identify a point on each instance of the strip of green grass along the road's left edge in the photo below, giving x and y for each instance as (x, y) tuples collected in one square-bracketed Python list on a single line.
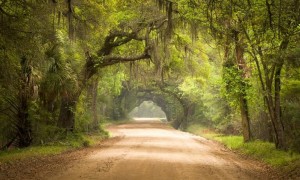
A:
[(71, 141)]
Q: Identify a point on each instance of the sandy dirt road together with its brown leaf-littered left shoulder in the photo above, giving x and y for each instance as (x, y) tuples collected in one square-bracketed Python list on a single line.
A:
[(144, 149)]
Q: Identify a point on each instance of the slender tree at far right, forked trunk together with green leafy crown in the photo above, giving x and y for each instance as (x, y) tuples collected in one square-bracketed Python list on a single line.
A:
[(279, 20)]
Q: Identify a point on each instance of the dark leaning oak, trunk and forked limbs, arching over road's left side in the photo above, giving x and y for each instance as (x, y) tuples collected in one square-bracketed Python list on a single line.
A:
[(105, 57)]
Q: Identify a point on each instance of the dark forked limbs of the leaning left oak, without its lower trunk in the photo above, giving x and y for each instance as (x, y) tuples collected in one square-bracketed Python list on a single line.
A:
[(118, 38)]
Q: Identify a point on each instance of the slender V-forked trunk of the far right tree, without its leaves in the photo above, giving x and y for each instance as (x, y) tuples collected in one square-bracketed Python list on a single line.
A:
[(266, 84)]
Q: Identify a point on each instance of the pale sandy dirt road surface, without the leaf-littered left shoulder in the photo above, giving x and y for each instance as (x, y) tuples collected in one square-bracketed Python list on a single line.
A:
[(145, 150)]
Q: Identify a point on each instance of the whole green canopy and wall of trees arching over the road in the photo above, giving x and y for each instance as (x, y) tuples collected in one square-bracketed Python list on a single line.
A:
[(68, 65)]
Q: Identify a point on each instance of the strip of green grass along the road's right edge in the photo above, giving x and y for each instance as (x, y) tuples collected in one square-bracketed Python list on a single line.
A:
[(261, 150)]
